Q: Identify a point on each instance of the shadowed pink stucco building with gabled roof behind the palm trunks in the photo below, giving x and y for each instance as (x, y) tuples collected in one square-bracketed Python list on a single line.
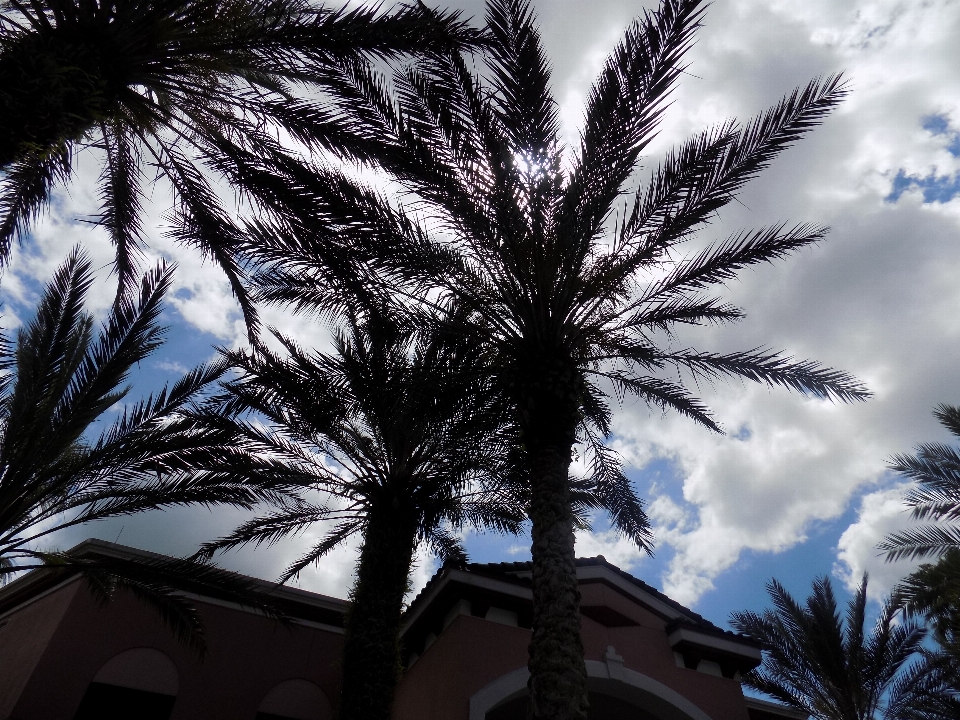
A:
[(64, 656)]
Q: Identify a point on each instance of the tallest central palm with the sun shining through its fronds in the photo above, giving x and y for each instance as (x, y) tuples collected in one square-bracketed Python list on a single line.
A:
[(571, 299)]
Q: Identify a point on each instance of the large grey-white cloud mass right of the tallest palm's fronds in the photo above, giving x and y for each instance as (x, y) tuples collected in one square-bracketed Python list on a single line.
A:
[(877, 298)]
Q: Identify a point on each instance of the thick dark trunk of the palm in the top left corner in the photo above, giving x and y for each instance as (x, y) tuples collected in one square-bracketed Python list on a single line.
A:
[(49, 93)]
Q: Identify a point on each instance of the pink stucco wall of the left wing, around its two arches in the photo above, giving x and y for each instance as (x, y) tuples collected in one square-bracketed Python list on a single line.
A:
[(247, 656)]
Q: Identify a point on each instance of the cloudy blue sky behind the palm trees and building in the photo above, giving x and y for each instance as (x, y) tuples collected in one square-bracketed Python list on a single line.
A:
[(797, 487)]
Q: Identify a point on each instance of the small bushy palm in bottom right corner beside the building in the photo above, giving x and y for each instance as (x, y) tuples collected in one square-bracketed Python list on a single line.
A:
[(835, 670)]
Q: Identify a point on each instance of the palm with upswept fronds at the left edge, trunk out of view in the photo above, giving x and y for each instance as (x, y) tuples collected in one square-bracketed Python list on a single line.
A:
[(59, 379)]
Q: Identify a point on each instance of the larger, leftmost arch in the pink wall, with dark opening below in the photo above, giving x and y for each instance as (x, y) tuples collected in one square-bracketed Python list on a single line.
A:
[(140, 682)]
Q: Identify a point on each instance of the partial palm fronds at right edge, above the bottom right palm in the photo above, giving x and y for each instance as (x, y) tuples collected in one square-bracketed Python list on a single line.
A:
[(935, 495)]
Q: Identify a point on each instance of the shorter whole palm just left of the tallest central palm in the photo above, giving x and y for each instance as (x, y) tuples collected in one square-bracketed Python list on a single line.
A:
[(397, 439)]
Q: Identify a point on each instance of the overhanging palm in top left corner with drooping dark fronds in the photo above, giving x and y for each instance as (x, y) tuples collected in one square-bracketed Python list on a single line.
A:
[(182, 85)]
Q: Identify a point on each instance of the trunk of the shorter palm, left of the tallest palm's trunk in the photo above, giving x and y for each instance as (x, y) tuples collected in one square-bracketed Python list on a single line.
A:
[(371, 653)]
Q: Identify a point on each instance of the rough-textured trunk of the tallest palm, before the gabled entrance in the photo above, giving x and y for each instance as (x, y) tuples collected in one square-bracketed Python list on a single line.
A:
[(558, 675)]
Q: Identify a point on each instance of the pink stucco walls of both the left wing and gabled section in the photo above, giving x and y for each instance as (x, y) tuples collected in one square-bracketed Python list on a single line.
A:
[(51, 648)]
